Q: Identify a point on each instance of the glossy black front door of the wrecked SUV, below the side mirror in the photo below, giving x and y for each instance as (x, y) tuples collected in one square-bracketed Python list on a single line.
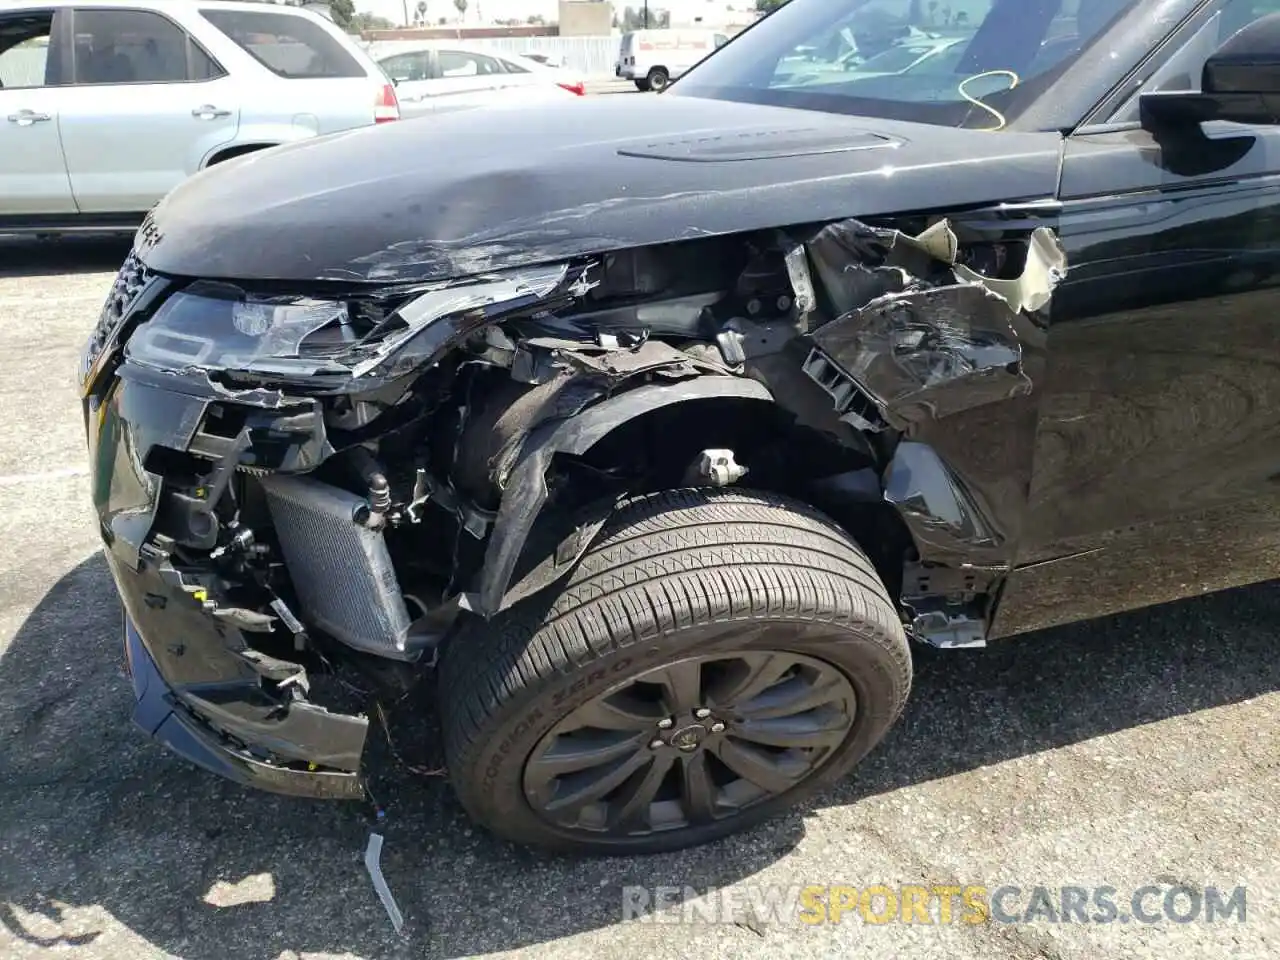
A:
[(1158, 454)]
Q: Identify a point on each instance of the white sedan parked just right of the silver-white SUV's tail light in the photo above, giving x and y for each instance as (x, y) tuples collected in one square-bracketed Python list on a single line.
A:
[(436, 79)]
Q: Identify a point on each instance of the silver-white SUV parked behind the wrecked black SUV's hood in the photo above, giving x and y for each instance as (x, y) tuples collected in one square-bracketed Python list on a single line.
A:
[(107, 106)]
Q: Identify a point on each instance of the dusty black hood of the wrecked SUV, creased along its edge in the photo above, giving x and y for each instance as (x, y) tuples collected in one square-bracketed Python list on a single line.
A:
[(473, 191)]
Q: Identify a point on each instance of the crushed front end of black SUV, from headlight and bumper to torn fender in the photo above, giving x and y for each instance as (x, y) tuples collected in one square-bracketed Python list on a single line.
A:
[(304, 488)]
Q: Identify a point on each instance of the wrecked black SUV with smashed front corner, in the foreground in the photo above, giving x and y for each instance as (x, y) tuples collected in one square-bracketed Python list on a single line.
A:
[(652, 431)]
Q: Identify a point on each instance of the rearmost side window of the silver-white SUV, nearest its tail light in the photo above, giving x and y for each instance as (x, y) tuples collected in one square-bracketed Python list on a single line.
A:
[(289, 45)]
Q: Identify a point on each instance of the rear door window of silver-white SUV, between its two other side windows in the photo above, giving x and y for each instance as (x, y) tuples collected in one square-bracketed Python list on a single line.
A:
[(129, 47)]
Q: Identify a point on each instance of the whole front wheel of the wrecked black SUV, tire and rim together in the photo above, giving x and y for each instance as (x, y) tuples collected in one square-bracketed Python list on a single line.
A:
[(700, 580)]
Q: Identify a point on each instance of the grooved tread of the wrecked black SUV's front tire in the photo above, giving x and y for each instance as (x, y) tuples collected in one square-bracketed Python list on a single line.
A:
[(665, 563)]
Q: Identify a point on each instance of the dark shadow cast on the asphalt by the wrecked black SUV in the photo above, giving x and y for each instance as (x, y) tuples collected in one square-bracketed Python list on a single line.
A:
[(95, 816)]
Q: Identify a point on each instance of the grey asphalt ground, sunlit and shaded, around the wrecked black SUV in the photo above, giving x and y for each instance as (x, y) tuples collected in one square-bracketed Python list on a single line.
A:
[(1137, 751)]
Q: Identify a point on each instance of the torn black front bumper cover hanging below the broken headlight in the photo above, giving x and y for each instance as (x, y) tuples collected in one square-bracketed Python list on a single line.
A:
[(200, 688)]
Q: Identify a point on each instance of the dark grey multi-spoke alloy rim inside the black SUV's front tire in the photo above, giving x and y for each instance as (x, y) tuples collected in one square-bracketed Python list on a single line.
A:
[(691, 743)]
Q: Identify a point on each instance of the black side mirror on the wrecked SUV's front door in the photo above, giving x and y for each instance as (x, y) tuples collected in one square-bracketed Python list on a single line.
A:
[(1241, 83)]
